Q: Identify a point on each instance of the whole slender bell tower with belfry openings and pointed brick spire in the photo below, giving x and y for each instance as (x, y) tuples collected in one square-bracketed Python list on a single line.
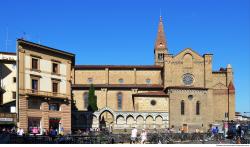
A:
[(160, 48)]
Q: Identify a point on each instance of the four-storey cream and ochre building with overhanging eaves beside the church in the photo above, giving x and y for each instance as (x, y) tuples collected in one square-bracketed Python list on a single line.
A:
[(44, 87)]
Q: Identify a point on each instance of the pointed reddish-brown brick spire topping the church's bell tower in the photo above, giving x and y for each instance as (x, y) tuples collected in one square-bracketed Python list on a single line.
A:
[(161, 42)]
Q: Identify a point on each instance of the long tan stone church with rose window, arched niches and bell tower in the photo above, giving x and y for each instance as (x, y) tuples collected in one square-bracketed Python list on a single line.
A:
[(178, 90)]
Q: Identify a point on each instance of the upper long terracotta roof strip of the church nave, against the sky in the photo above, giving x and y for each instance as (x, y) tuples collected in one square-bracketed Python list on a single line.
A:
[(118, 67)]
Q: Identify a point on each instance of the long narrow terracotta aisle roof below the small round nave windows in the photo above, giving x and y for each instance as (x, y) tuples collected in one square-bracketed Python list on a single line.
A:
[(119, 86)]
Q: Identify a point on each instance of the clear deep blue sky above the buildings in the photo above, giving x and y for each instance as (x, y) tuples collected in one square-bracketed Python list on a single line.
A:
[(123, 31)]
